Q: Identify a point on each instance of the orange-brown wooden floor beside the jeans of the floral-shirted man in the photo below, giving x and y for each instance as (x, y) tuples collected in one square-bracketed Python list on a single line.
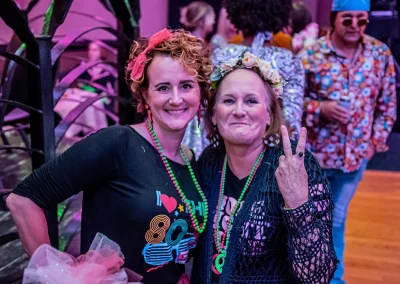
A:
[(373, 230)]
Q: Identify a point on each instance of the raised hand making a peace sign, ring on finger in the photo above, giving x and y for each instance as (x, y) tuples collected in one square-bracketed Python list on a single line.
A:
[(291, 173)]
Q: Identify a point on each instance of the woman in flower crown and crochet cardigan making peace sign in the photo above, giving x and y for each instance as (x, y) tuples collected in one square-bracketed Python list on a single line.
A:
[(270, 206)]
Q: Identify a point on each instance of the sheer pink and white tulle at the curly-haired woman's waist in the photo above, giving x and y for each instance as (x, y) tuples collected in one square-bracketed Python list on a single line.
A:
[(100, 265)]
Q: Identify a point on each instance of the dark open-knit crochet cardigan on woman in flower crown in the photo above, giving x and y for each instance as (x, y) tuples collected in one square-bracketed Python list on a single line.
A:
[(295, 245)]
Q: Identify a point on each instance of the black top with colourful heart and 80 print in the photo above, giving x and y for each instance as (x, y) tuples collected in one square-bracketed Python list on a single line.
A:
[(128, 196)]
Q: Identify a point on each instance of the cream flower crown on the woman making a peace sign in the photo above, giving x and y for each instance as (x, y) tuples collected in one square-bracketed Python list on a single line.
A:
[(249, 61)]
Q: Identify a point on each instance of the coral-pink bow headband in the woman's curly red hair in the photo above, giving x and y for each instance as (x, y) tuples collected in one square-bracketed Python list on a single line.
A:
[(136, 66)]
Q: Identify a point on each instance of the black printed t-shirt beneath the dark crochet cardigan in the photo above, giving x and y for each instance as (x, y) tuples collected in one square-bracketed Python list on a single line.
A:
[(232, 191)]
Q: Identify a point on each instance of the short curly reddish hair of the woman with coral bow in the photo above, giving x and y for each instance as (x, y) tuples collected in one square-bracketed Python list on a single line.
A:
[(181, 45)]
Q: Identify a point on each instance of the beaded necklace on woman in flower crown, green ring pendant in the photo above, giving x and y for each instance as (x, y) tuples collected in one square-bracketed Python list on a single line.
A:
[(223, 242)]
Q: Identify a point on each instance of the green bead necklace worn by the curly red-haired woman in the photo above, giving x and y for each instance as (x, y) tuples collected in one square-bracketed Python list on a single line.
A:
[(199, 228)]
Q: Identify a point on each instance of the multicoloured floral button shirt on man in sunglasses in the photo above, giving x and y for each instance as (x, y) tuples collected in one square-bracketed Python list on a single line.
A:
[(368, 81)]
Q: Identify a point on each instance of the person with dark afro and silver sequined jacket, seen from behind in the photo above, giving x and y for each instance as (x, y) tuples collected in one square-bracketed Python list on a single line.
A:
[(258, 20)]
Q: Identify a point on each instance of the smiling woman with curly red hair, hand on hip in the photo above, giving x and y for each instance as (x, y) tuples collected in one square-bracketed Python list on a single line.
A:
[(139, 183)]
